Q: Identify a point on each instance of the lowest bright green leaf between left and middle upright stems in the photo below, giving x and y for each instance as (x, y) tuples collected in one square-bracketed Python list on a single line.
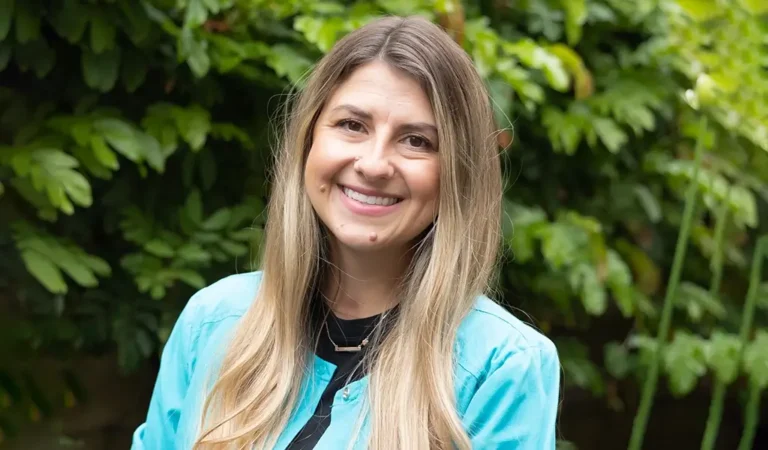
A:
[(685, 362)]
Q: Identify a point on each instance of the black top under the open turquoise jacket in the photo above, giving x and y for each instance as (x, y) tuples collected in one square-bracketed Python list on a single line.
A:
[(344, 333)]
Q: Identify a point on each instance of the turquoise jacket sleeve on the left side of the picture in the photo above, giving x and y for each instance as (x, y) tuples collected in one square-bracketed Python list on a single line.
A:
[(159, 430)]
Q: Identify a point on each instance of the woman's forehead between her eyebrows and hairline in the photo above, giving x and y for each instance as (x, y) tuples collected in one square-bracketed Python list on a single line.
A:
[(383, 90)]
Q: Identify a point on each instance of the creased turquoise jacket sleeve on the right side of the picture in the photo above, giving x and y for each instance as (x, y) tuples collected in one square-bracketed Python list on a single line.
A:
[(516, 405)]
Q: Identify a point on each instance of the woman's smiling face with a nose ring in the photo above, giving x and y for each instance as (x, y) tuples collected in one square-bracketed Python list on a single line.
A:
[(372, 173)]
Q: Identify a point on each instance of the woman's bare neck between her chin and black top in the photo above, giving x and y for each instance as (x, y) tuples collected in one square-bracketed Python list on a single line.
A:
[(363, 284)]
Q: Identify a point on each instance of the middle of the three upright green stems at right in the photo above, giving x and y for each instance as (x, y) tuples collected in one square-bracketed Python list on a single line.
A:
[(718, 393)]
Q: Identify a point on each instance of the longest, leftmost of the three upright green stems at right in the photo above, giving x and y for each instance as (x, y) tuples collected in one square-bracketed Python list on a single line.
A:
[(652, 378)]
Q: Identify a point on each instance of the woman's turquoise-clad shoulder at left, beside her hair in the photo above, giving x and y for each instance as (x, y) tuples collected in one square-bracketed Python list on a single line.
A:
[(228, 297)]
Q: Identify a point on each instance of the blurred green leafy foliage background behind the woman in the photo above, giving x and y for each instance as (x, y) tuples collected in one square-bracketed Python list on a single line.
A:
[(134, 156)]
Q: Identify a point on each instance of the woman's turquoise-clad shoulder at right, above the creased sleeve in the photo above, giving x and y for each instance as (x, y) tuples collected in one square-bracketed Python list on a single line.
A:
[(491, 337)]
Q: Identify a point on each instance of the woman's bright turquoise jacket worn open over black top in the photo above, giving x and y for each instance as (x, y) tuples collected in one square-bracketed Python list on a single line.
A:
[(507, 379)]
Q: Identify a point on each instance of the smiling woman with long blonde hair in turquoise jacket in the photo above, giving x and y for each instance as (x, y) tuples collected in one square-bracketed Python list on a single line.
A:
[(367, 325)]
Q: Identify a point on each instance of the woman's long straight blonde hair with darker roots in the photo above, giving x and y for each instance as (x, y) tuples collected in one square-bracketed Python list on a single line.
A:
[(261, 373)]
